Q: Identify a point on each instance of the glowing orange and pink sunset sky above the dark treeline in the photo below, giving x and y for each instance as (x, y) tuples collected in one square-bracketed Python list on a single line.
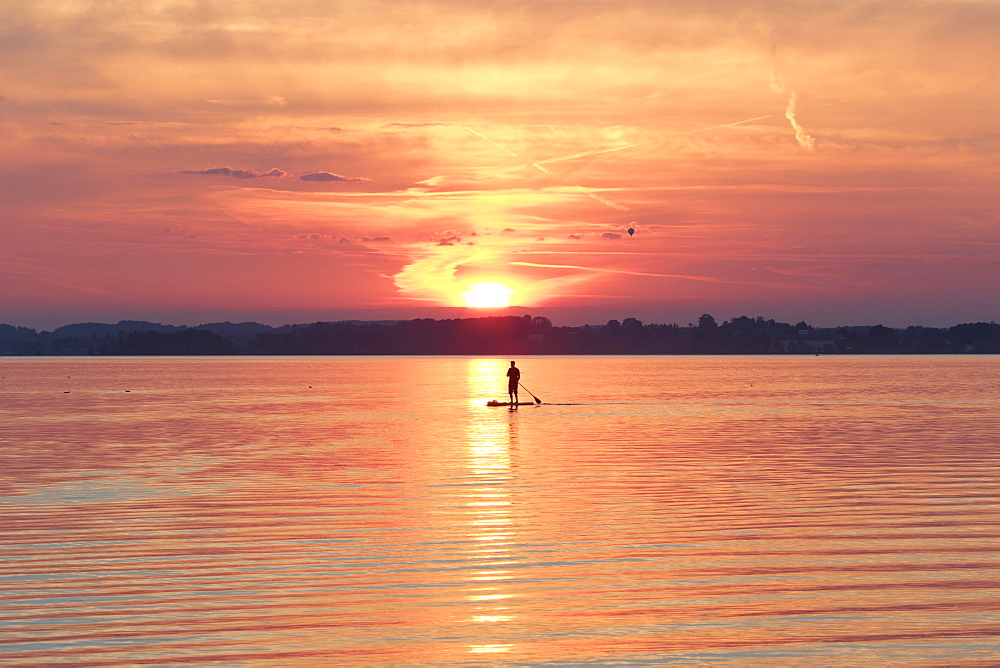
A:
[(196, 161)]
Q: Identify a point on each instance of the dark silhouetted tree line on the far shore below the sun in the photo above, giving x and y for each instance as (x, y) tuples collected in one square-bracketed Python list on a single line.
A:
[(498, 335)]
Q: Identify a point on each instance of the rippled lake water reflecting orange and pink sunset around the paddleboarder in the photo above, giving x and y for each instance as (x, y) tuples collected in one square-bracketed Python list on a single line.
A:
[(359, 510)]
